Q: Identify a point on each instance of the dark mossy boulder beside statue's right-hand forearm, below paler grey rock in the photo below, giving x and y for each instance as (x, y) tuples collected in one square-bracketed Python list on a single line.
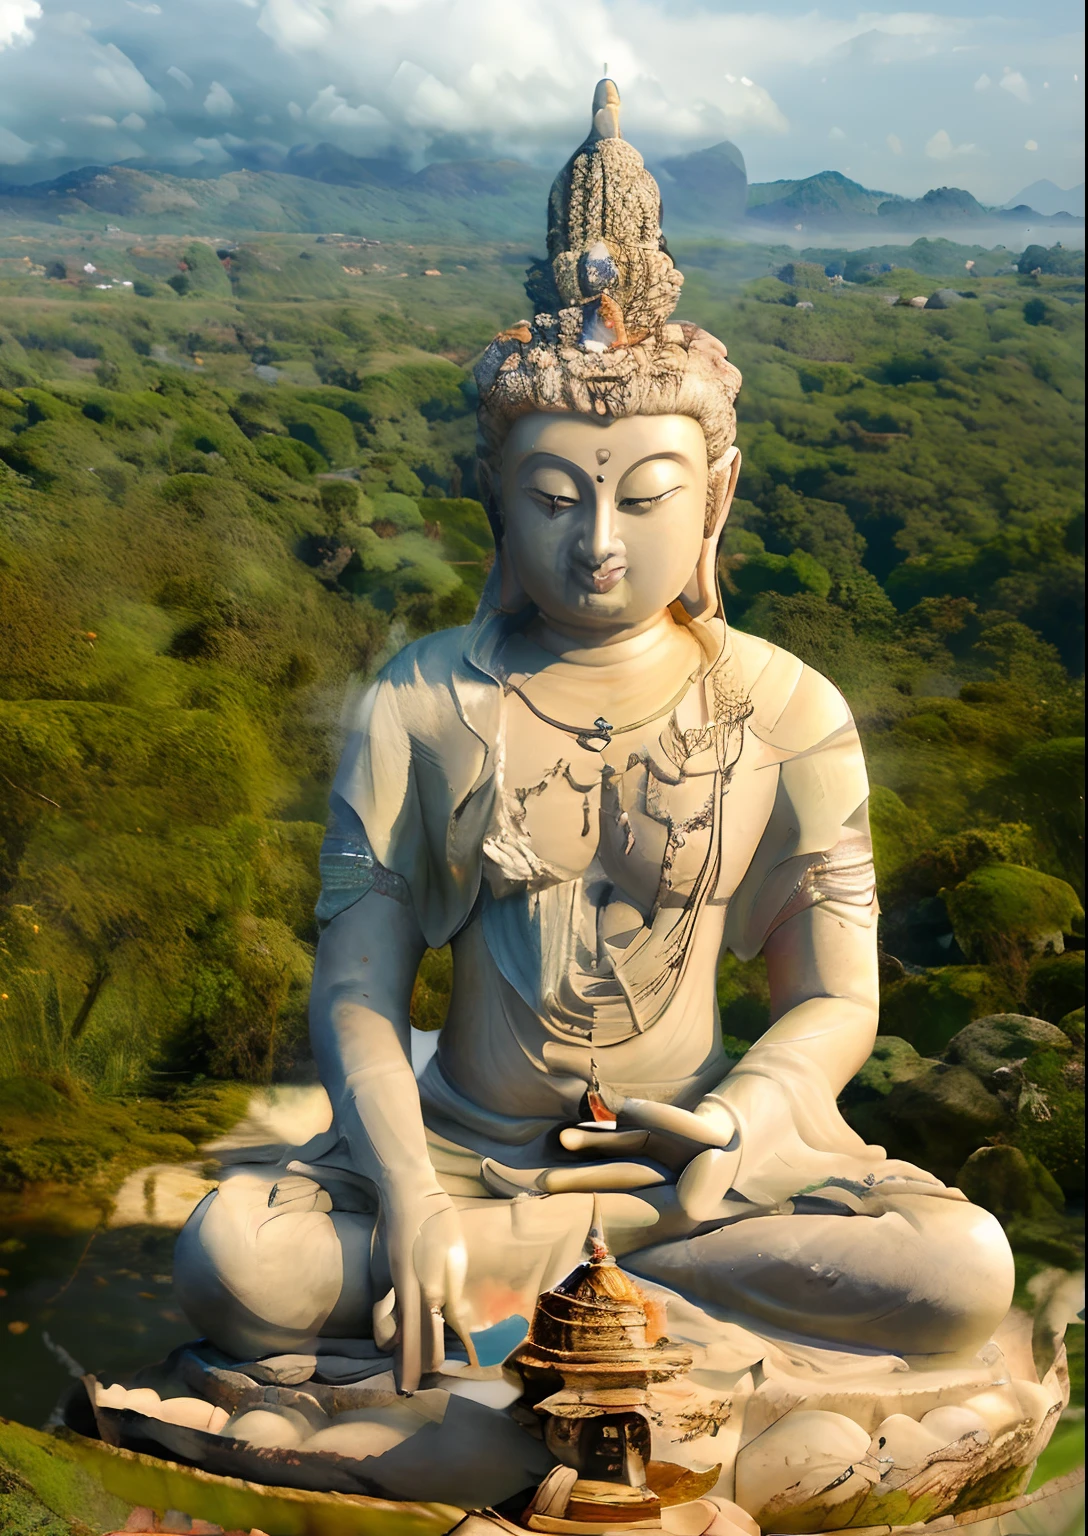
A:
[(941, 1117)]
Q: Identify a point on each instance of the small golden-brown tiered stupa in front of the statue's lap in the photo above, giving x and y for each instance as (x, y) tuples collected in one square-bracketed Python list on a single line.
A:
[(588, 1363)]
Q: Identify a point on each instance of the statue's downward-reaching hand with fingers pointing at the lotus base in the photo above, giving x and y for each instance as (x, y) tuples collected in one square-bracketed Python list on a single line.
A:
[(423, 1256)]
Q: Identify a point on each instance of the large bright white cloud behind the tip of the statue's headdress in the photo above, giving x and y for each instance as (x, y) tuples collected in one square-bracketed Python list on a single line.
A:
[(520, 71)]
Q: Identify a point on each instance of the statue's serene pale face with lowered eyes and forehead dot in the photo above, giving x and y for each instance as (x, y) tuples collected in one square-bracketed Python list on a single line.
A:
[(603, 520)]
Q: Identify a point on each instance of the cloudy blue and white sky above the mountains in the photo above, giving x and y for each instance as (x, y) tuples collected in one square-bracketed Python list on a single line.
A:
[(989, 98)]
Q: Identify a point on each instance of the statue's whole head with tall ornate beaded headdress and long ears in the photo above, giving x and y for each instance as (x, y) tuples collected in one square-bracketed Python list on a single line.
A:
[(606, 434)]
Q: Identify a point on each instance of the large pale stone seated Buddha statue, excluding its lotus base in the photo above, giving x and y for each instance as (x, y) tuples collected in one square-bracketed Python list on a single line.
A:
[(592, 792)]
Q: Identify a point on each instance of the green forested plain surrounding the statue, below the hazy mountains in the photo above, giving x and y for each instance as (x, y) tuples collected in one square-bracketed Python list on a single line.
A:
[(236, 475)]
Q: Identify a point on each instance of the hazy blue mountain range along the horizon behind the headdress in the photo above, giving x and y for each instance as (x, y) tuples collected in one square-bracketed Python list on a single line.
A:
[(323, 188)]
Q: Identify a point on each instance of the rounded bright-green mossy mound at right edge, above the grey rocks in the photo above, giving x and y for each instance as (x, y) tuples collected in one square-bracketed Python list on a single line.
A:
[(1004, 904)]
